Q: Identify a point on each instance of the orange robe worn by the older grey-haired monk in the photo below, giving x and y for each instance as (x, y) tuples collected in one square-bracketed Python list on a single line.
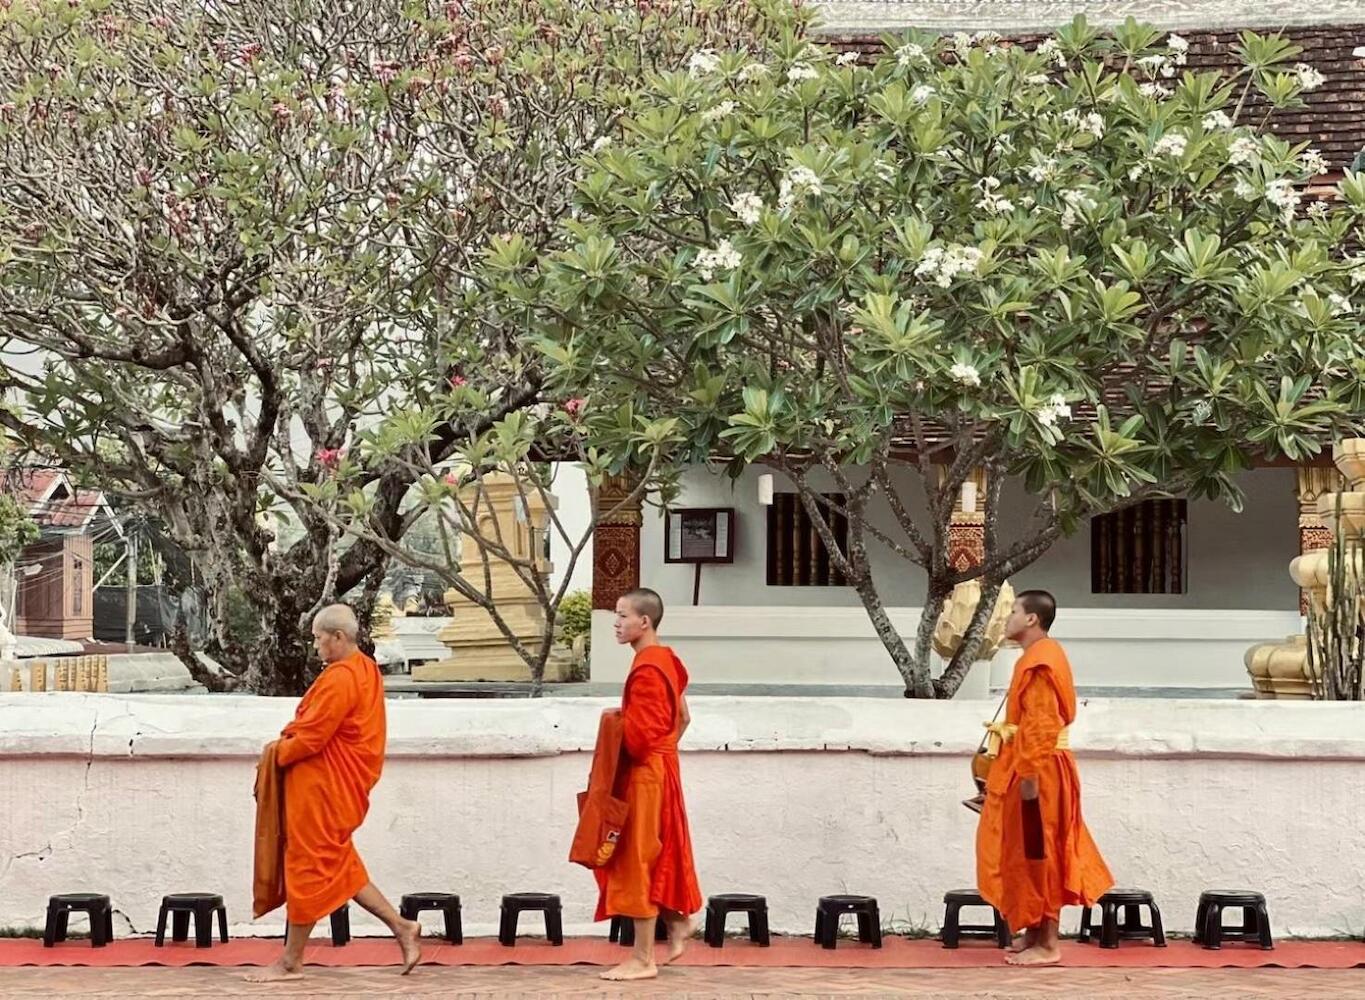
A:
[(332, 755)]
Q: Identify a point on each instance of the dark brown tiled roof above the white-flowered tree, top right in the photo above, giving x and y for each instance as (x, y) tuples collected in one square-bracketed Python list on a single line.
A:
[(1334, 118)]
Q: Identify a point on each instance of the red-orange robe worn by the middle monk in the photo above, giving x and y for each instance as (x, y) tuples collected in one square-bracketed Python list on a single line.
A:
[(652, 868)]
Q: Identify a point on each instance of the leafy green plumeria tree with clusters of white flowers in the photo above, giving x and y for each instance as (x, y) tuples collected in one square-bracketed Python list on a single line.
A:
[(1078, 264)]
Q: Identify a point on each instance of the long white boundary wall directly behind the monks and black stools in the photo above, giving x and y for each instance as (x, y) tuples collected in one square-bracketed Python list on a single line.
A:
[(139, 796)]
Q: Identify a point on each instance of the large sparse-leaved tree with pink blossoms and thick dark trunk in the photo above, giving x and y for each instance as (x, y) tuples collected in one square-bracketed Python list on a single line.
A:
[(237, 237)]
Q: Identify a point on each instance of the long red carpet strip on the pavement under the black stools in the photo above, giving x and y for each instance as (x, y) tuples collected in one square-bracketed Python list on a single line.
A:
[(786, 952)]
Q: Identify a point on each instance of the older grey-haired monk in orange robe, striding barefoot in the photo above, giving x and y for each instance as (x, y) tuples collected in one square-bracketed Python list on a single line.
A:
[(332, 755)]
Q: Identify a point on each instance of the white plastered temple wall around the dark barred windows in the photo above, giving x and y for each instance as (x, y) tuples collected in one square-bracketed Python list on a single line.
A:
[(745, 631)]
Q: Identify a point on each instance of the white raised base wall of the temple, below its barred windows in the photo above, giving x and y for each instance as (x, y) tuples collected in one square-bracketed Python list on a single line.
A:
[(1109, 649)]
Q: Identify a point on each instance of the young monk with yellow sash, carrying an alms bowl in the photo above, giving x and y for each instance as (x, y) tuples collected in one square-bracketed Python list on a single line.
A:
[(1034, 855)]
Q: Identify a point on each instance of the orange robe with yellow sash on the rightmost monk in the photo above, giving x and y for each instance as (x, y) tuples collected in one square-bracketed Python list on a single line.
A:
[(1041, 703)]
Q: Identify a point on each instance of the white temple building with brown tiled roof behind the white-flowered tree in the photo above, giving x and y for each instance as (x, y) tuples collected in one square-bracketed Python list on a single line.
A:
[(1170, 593)]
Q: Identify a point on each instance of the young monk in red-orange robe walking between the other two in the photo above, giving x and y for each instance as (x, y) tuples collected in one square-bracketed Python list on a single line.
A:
[(652, 875)]
